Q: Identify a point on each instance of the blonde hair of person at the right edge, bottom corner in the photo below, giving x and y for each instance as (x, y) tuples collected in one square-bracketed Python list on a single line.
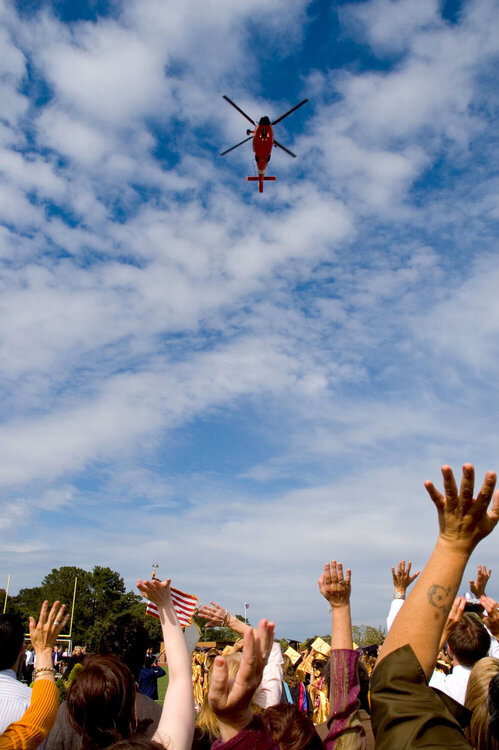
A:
[(477, 733)]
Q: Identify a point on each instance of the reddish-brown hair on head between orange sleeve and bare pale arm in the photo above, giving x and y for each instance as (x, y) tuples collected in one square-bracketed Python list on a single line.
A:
[(101, 702)]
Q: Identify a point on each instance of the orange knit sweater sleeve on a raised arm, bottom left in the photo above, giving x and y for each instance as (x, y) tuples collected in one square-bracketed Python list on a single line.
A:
[(36, 722)]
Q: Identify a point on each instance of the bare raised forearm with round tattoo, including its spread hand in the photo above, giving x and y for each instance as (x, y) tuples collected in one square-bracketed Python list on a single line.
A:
[(463, 522)]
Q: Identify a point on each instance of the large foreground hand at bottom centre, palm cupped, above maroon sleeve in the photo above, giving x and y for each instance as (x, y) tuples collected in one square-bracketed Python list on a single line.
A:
[(231, 700)]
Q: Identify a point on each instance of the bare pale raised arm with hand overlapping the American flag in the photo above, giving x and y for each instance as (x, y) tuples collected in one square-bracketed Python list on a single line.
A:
[(176, 725)]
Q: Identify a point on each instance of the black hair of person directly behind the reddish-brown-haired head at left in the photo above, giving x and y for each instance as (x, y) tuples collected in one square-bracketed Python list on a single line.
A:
[(126, 637)]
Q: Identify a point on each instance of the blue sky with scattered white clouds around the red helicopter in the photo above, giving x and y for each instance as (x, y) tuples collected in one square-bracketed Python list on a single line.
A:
[(237, 386)]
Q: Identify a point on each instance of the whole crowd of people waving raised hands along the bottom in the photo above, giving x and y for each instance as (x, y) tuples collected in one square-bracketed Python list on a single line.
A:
[(433, 684)]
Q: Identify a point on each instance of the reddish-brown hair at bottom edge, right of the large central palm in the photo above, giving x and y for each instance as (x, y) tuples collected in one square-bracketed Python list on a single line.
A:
[(290, 728)]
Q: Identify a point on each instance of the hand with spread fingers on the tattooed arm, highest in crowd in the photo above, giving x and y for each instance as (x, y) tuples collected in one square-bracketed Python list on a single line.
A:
[(464, 520)]
